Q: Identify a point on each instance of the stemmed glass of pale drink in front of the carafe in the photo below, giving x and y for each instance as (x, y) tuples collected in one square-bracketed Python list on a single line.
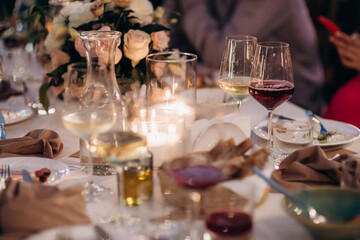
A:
[(88, 109)]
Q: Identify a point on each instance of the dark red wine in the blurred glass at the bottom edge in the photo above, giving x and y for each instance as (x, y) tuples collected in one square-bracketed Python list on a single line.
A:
[(229, 223)]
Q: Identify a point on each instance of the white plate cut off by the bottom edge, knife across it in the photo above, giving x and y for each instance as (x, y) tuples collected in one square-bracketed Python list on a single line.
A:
[(85, 232)]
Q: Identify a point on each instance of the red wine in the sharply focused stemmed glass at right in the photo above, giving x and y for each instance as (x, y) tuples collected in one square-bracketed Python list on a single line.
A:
[(271, 93)]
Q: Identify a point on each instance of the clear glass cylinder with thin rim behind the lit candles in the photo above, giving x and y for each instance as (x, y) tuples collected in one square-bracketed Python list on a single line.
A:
[(171, 82)]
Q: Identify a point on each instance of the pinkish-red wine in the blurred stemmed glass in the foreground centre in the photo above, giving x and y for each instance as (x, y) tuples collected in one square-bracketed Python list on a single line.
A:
[(197, 176)]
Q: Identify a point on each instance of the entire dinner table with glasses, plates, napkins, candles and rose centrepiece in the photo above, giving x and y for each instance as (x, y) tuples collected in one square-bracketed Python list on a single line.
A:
[(126, 146)]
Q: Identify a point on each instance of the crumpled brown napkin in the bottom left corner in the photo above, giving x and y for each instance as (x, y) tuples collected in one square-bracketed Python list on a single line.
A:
[(29, 208)]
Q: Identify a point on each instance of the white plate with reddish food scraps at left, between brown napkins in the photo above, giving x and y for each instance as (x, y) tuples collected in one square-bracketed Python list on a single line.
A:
[(58, 169)]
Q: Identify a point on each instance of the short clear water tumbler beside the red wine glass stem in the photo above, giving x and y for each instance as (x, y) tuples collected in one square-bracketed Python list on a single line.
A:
[(290, 136)]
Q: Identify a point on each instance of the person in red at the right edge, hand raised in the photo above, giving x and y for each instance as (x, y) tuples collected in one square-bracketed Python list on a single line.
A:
[(345, 104)]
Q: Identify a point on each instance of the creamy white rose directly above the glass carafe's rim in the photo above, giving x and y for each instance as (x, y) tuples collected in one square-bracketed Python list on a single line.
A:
[(81, 15)]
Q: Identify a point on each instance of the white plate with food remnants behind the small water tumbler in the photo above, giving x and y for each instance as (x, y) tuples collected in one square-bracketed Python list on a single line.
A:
[(345, 133)]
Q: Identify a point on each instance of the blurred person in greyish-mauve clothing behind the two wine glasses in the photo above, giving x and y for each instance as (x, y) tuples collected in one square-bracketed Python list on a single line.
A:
[(204, 24)]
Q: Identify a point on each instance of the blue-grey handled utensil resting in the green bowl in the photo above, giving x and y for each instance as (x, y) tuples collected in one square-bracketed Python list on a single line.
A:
[(312, 213)]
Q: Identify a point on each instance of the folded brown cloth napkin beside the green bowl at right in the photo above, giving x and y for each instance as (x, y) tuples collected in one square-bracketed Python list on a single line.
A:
[(309, 167)]
